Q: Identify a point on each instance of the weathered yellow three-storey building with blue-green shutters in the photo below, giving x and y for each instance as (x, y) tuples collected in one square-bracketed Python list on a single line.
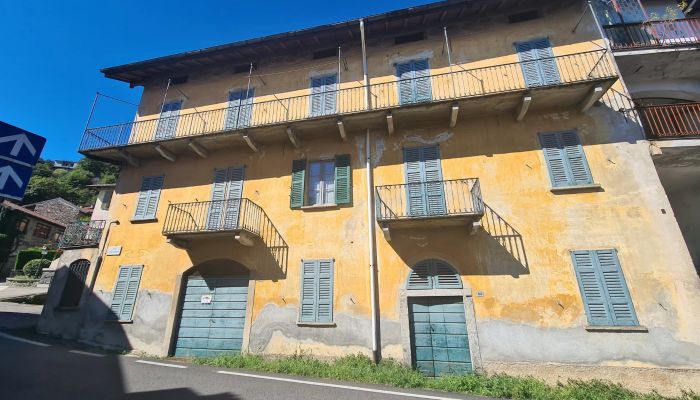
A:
[(470, 207)]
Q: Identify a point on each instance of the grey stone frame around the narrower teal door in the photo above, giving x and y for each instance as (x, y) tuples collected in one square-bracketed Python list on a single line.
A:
[(466, 294)]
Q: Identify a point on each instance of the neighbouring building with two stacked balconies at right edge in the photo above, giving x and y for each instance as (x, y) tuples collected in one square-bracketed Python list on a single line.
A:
[(657, 48)]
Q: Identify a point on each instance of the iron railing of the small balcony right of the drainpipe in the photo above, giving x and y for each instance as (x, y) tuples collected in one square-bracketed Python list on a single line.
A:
[(458, 197)]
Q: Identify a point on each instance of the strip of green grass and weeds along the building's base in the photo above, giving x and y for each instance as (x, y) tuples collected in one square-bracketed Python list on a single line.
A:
[(359, 368)]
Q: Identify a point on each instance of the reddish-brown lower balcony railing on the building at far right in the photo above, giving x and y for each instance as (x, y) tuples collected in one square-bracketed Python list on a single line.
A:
[(671, 120)]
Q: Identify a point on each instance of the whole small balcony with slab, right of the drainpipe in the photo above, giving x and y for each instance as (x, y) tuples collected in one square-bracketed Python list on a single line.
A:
[(429, 204)]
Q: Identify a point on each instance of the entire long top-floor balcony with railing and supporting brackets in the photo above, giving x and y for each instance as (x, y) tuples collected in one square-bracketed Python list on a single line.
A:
[(578, 79)]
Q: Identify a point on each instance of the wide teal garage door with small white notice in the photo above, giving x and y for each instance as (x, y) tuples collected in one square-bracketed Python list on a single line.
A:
[(212, 318)]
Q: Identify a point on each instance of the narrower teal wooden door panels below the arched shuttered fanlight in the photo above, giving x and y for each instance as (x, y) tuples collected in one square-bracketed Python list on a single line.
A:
[(439, 340)]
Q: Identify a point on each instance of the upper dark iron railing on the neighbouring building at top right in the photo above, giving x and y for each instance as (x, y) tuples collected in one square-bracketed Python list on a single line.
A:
[(678, 32)]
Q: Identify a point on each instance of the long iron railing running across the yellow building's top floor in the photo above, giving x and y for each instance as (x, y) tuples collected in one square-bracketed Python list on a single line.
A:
[(459, 84)]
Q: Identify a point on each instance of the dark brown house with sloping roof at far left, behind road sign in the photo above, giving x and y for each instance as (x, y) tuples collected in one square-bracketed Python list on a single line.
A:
[(35, 229)]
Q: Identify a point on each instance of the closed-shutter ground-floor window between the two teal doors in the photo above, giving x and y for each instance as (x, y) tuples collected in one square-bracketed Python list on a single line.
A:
[(316, 305)]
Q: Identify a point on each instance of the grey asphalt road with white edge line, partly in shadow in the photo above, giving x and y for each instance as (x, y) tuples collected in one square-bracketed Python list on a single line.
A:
[(35, 367)]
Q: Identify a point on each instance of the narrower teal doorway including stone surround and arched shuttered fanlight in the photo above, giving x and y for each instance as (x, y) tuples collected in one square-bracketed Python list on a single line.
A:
[(439, 313)]
